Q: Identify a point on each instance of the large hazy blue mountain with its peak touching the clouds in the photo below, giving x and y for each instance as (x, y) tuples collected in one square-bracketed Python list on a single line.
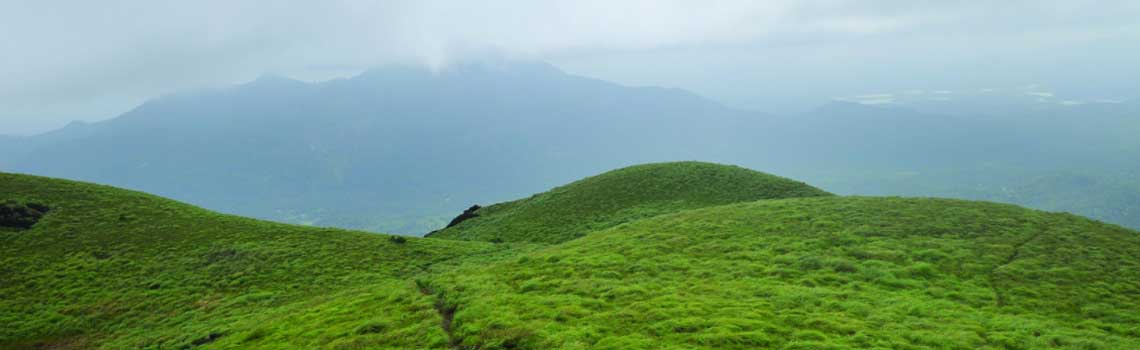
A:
[(388, 149)]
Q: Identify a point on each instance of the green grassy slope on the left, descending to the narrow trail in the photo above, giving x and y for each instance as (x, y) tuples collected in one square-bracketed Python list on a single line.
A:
[(118, 270)]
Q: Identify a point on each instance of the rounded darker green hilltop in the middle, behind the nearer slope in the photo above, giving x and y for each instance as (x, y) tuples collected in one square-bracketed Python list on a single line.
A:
[(623, 196)]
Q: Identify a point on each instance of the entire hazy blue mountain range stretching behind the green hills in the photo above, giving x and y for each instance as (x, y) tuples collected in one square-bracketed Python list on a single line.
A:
[(403, 149)]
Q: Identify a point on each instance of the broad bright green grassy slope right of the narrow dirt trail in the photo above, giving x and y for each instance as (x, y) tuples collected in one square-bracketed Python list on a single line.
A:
[(832, 273)]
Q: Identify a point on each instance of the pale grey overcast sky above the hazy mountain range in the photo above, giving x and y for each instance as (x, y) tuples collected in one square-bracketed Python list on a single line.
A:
[(91, 61)]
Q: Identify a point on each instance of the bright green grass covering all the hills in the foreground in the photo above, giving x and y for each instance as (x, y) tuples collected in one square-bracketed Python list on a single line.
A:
[(694, 257)]
